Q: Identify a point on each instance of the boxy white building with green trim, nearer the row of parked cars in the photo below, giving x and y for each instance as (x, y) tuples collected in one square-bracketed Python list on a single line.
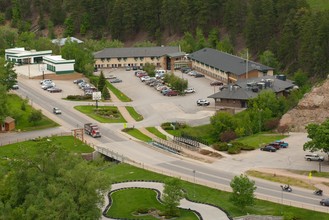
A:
[(58, 65)]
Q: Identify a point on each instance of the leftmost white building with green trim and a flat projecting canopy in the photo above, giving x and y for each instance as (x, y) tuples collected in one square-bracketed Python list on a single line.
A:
[(21, 56)]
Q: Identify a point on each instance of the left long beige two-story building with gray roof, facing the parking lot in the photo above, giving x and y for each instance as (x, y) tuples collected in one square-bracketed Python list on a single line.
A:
[(136, 57)]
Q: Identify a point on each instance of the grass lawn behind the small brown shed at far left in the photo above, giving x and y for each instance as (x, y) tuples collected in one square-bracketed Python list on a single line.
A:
[(21, 116)]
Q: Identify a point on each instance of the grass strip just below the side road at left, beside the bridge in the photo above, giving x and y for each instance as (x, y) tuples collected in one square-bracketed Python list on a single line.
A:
[(68, 142)]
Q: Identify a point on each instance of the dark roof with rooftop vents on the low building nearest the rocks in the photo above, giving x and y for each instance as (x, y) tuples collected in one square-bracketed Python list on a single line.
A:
[(241, 90)]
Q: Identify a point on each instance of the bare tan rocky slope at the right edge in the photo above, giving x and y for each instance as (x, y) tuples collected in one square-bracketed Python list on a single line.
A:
[(313, 108)]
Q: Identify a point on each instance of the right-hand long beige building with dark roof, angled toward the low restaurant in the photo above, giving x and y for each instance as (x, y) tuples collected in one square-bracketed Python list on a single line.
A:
[(226, 67)]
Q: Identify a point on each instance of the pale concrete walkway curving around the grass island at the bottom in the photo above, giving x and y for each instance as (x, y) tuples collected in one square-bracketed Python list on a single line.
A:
[(207, 212)]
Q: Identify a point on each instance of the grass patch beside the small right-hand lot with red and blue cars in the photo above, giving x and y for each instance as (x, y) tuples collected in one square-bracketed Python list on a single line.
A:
[(257, 140)]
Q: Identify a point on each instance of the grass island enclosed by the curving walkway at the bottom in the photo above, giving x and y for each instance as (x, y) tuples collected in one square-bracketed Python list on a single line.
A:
[(139, 199)]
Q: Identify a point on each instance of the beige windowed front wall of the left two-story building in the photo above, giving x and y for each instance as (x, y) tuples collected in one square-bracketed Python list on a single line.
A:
[(130, 61)]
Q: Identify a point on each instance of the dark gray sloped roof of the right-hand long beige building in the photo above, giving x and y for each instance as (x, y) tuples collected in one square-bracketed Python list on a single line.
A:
[(226, 62)]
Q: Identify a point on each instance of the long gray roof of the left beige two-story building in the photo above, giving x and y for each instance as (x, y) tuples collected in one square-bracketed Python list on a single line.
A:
[(135, 52)]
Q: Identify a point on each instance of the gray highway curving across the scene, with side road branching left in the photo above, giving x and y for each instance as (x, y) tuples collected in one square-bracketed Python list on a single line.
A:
[(217, 175)]
